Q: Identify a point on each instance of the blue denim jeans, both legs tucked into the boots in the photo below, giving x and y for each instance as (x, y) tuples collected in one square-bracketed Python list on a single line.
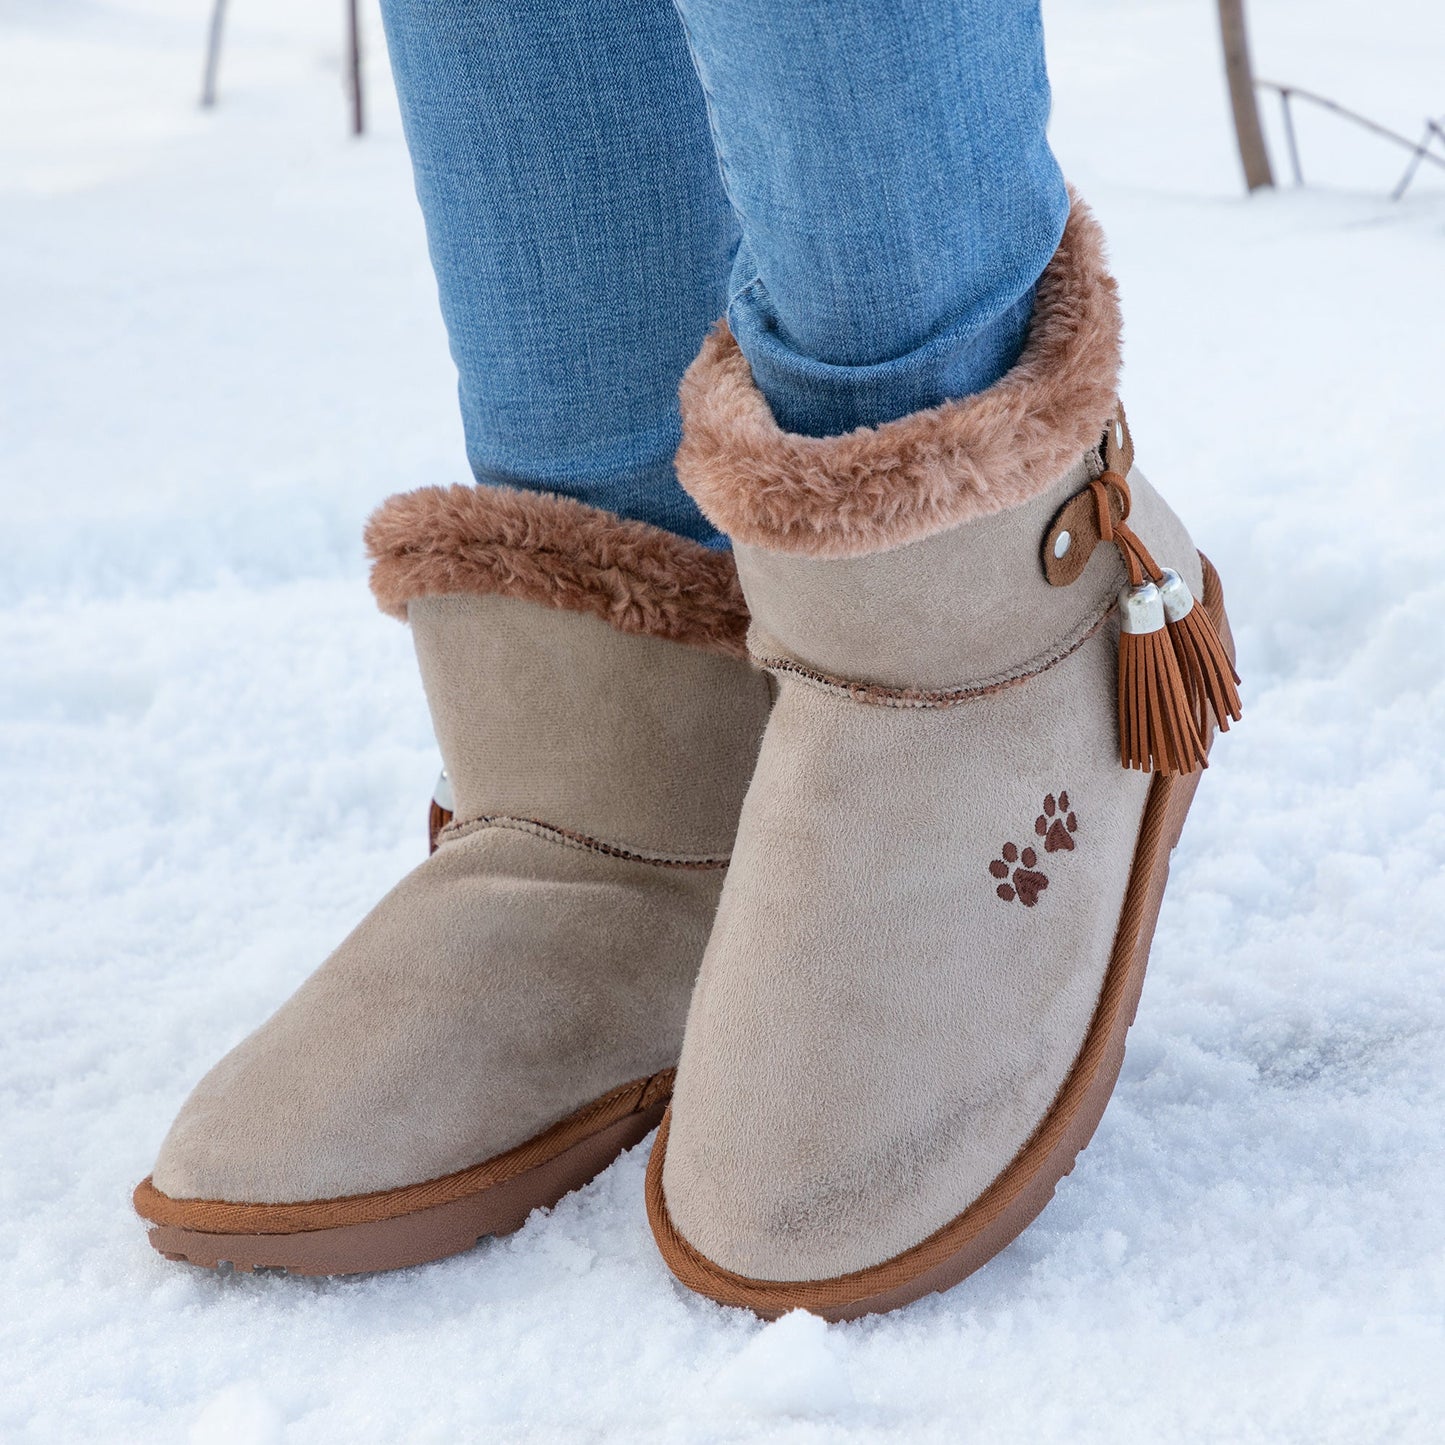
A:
[(863, 187)]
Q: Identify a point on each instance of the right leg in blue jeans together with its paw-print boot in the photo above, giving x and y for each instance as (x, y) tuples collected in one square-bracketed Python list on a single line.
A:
[(998, 660)]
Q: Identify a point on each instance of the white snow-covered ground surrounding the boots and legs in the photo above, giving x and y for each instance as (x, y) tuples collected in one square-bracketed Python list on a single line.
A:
[(219, 349)]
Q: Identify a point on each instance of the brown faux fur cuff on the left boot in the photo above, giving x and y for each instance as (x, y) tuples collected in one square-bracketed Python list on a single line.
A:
[(558, 553)]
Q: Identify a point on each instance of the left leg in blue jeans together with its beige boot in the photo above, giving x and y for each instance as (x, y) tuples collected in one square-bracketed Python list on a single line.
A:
[(518, 1002)]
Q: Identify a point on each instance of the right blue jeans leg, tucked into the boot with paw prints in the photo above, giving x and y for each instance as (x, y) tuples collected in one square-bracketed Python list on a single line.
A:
[(897, 196)]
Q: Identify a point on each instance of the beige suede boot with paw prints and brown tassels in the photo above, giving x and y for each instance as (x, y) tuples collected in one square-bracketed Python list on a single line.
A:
[(949, 868)]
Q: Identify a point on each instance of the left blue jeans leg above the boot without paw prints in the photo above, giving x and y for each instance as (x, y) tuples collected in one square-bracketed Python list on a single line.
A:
[(579, 230)]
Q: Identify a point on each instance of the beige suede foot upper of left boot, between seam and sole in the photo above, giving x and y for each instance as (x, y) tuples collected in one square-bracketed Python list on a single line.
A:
[(457, 1022)]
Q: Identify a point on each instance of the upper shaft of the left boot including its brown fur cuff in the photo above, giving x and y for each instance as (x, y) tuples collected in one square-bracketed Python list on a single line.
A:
[(585, 673)]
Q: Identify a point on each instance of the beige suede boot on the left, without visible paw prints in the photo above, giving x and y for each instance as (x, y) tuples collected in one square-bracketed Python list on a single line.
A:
[(506, 1021)]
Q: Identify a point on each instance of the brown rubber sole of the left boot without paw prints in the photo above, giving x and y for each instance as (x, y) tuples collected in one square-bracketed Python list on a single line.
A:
[(392, 1229)]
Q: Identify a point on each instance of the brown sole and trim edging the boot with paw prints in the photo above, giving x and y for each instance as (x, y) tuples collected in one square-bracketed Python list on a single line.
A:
[(1011, 1204)]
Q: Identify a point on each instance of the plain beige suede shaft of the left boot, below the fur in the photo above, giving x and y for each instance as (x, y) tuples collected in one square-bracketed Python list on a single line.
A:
[(557, 717)]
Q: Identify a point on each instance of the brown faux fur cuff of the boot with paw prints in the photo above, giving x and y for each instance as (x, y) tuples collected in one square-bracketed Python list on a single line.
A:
[(884, 486)]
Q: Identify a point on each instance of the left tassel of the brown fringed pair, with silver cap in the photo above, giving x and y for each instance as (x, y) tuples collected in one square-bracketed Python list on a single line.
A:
[(1157, 728)]
